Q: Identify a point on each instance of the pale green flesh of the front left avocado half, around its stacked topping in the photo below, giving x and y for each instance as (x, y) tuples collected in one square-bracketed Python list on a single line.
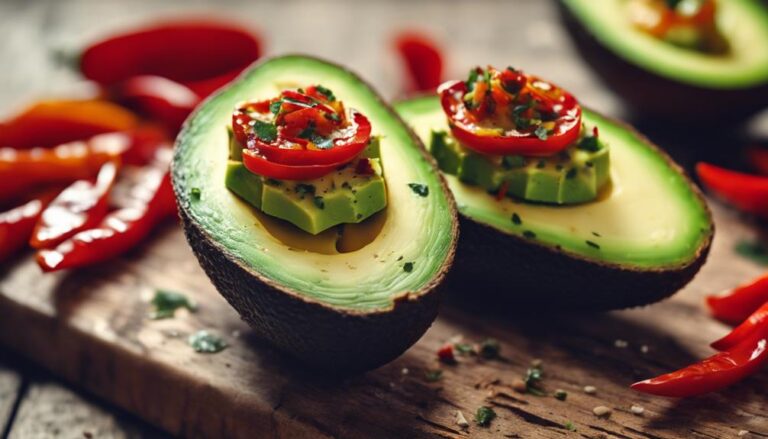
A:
[(416, 232)]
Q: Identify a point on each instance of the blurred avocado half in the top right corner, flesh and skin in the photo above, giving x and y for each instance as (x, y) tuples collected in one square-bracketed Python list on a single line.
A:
[(661, 80)]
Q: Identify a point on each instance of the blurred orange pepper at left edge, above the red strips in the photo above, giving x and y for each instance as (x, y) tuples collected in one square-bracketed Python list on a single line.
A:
[(51, 123)]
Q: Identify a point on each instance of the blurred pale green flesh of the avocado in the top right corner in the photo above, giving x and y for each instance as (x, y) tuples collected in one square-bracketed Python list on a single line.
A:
[(743, 23)]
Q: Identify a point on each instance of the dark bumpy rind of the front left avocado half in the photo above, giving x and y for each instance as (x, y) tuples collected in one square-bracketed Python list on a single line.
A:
[(338, 341)]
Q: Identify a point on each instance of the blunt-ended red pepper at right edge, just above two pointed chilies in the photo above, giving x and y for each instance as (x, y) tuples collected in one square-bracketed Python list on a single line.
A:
[(738, 304)]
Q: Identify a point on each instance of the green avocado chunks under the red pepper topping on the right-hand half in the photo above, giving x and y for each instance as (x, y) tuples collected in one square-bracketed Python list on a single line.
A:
[(575, 175)]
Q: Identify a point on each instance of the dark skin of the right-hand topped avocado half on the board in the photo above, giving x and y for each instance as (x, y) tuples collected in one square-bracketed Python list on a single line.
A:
[(522, 275)]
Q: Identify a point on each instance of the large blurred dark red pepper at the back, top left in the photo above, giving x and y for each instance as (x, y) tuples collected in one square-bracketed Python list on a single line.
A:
[(202, 55)]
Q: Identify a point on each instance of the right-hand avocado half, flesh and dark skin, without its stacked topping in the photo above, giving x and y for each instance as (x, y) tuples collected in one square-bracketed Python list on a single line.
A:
[(640, 241)]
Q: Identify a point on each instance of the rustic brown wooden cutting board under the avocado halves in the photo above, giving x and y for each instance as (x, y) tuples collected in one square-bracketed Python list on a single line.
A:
[(92, 329)]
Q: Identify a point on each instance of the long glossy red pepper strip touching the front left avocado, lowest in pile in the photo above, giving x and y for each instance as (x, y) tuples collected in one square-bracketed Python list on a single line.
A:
[(122, 229)]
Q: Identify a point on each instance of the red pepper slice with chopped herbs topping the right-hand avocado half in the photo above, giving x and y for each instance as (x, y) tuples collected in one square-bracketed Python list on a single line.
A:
[(510, 112)]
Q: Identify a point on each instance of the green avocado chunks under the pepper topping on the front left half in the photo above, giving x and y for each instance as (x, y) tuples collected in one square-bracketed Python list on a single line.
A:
[(342, 197)]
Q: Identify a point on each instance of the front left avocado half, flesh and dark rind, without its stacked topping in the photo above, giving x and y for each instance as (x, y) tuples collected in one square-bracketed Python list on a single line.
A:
[(343, 312)]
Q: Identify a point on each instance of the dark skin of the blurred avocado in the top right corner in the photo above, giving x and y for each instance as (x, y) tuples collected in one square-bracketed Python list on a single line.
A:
[(655, 97)]
